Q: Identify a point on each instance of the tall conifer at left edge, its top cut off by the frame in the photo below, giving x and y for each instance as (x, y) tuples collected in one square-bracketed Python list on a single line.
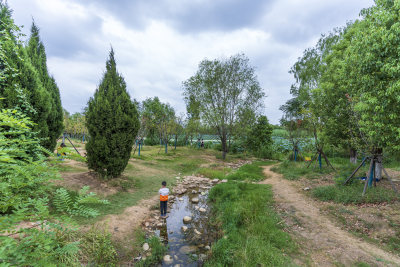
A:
[(21, 75)]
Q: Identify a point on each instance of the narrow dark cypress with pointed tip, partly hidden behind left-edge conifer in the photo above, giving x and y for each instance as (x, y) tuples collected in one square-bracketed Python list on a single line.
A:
[(37, 55)]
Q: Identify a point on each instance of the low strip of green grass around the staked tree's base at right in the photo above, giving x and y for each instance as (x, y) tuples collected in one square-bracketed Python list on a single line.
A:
[(352, 194)]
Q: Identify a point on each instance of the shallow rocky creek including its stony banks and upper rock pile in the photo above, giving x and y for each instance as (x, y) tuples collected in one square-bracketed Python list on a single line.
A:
[(187, 242)]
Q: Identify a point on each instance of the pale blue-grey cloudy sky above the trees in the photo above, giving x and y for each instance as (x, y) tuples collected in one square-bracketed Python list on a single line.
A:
[(159, 44)]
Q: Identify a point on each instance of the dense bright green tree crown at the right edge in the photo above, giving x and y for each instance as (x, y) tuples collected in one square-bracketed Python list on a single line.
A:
[(370, 65)]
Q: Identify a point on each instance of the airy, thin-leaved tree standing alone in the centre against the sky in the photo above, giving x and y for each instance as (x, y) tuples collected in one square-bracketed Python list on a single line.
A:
[(225, 90)]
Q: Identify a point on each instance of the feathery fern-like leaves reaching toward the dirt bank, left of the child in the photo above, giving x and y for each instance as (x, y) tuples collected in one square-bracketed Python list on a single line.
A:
[(77, 206)]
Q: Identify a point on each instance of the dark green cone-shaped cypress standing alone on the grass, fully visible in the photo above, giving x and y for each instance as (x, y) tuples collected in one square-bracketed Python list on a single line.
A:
[(113, 122)]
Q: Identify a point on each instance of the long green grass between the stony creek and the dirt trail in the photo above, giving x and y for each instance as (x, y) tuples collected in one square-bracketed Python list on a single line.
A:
[(252, 234)]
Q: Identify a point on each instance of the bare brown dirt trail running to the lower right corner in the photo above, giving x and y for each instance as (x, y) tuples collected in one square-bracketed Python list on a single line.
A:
[(324, 242)]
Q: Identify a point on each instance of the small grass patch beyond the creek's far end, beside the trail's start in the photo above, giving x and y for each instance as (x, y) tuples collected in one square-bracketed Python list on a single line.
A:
[(250, 172)]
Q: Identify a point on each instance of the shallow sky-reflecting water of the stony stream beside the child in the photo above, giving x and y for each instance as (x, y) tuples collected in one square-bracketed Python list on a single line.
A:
[(188, 248)]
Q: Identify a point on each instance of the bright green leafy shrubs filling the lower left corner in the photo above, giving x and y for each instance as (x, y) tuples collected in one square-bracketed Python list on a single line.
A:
[(24, 176)]
